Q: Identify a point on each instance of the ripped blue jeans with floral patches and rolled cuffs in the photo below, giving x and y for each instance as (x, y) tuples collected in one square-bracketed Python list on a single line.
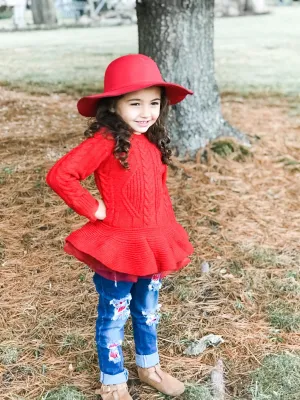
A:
[(117, 300)]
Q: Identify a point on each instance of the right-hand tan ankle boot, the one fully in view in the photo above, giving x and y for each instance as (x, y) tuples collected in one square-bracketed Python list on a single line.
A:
[(161, 381)]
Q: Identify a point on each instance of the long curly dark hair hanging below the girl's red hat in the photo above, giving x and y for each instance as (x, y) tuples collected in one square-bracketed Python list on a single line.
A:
[(157, 133)]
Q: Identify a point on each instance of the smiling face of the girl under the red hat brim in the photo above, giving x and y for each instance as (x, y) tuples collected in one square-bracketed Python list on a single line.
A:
[(140, 109)]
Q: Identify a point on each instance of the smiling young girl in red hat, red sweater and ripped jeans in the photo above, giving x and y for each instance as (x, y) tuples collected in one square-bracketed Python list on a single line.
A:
[(132, 239)]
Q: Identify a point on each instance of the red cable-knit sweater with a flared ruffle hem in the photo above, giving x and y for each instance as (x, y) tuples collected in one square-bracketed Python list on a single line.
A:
[(139, 236)]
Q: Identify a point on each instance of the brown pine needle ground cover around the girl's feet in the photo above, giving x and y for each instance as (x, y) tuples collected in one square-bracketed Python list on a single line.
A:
[(241, 209)]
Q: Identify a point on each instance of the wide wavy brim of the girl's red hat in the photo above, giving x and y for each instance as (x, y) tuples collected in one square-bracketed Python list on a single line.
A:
[(87, 106)]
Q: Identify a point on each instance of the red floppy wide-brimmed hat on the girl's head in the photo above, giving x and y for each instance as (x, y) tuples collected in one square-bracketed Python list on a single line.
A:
[(128, 74)]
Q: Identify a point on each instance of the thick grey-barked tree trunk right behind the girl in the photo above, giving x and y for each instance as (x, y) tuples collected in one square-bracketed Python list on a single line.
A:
[(179, 36)]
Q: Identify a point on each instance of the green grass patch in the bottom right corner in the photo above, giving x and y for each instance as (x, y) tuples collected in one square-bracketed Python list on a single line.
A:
[(278, 378)]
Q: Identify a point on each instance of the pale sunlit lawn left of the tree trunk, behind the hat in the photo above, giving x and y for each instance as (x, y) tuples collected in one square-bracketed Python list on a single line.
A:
[(61, 61)]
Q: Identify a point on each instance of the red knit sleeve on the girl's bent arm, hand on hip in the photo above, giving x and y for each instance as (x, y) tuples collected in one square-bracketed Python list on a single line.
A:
[(65, 176)]
